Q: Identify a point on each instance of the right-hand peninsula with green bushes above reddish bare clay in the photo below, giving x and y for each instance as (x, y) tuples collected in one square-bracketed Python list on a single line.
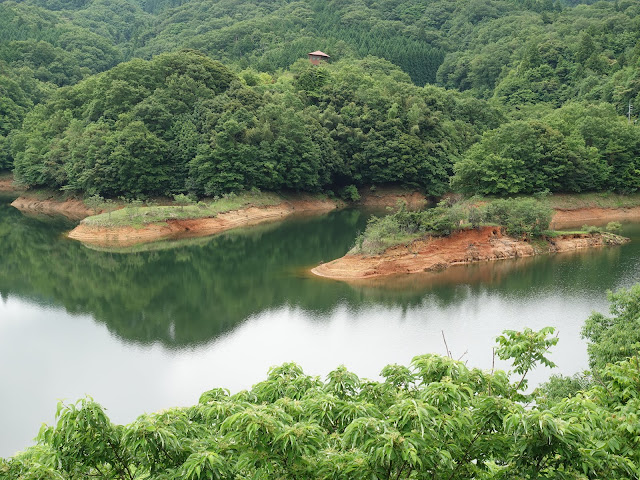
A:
[(462, 233)]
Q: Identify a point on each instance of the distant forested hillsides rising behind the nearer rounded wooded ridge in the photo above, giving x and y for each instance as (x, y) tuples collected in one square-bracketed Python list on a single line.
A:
[(465, 45)]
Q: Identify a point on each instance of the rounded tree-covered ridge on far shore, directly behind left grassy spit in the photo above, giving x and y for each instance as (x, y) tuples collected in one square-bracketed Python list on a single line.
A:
[(182, 123)]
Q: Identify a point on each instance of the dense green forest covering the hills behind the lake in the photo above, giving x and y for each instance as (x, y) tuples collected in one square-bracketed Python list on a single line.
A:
[(128, 98)]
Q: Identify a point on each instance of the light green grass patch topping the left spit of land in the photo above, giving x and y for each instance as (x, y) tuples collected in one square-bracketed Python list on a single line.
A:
[(138, 216)]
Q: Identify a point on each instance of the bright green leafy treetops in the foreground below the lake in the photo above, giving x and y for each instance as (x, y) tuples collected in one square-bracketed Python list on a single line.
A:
[(434, 419)]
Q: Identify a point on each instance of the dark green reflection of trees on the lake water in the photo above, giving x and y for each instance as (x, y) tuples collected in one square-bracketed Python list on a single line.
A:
[(193, 293)]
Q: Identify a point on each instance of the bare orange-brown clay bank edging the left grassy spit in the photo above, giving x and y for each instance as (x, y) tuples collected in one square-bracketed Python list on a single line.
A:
[(127, 236)]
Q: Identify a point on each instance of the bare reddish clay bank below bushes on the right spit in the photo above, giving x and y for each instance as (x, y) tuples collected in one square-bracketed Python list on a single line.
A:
[(468, 246)]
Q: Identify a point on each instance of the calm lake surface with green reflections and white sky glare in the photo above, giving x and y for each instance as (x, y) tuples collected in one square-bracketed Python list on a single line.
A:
[(148, 330)]
